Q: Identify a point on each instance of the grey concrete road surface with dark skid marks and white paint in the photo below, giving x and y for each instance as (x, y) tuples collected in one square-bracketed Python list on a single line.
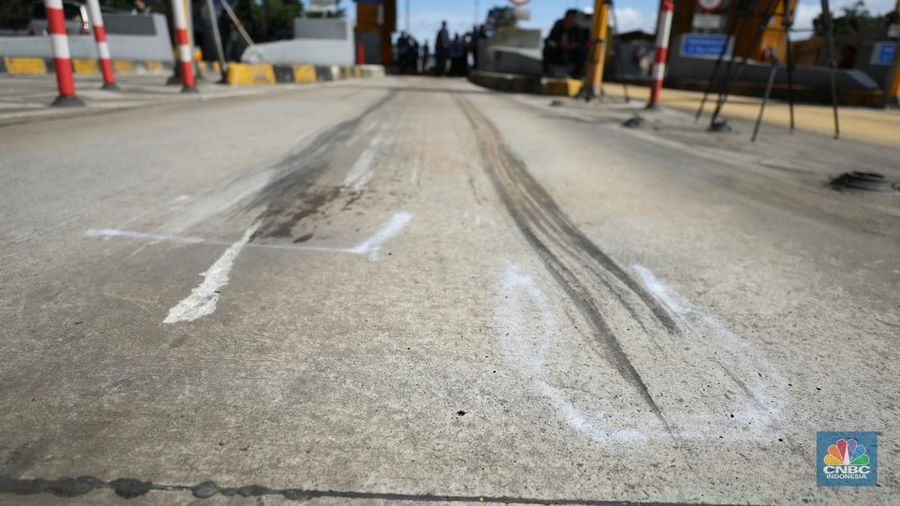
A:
[(414, 290)]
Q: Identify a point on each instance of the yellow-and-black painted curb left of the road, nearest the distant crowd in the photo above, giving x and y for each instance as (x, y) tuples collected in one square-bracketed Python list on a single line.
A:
[(248, 74)]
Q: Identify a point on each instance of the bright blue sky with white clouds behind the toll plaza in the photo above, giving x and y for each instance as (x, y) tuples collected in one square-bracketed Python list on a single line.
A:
[(426, 15)]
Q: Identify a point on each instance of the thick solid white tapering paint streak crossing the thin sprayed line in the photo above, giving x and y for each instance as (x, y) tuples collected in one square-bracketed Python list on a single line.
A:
[(203, 299)]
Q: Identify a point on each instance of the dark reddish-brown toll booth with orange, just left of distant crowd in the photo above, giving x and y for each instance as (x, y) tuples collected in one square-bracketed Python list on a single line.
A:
[(376, 21)]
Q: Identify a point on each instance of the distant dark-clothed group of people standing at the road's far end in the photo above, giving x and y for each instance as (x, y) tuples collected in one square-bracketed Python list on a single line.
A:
[(451, 54)]
